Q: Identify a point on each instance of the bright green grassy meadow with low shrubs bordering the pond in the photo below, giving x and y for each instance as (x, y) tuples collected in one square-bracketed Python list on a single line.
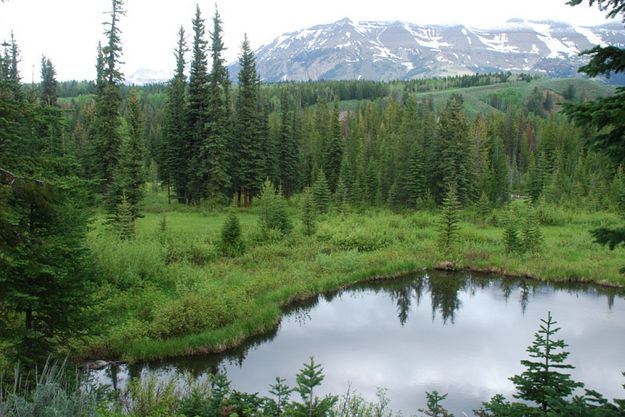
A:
[(169, 293)]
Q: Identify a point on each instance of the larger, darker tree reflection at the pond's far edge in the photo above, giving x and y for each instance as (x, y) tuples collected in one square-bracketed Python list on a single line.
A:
[(444, 290)]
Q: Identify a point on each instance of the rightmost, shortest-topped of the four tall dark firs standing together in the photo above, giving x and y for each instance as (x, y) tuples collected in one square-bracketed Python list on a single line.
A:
[(249, 156)]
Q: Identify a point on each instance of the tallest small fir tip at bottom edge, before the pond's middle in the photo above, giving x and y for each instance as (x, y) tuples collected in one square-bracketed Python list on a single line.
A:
[(310, 377)]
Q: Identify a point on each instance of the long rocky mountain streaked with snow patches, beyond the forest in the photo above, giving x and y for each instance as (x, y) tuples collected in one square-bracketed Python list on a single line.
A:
[(399, 50)]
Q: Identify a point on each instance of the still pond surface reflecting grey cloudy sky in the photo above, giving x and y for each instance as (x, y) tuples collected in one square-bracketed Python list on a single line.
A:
[(468, 347)]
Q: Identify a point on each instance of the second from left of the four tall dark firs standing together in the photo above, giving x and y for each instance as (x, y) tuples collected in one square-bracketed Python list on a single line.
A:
[(197, 112)]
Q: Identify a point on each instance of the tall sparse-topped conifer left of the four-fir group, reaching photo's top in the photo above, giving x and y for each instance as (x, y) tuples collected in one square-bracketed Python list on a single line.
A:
[(106, 123)]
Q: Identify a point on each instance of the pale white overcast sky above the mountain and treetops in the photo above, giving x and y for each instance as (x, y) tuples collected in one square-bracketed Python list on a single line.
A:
[(67, 31)]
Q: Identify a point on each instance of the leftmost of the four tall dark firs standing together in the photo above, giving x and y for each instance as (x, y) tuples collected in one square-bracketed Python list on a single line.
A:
[(173, 159)]
